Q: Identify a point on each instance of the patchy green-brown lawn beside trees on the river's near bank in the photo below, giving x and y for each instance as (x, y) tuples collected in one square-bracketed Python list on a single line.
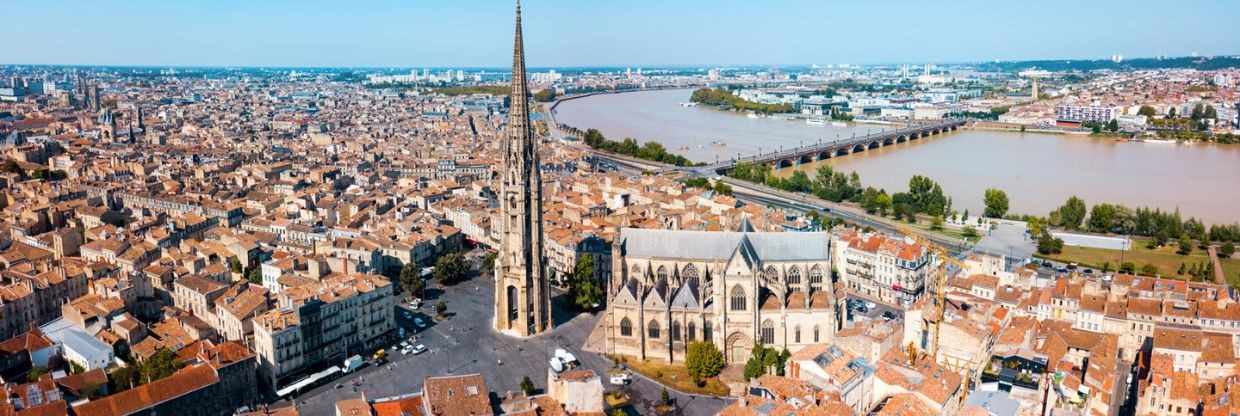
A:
[(1164, 258)]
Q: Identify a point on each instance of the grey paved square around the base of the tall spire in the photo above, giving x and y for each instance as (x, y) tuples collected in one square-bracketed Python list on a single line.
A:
[(466, 343)]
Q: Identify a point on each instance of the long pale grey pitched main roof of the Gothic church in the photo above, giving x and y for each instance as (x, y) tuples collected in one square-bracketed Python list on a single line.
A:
[(720, 246)]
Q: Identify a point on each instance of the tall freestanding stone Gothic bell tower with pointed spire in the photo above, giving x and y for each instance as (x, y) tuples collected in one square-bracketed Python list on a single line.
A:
[(523, 306)]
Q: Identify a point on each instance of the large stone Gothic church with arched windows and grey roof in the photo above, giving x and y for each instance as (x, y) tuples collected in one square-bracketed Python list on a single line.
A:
[(670, 289)]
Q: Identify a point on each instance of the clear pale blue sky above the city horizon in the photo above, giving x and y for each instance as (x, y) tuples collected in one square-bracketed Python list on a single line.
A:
[(588, 33)]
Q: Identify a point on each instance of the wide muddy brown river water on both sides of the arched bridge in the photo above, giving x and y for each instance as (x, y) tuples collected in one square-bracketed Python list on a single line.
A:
[(1038, 172)]
